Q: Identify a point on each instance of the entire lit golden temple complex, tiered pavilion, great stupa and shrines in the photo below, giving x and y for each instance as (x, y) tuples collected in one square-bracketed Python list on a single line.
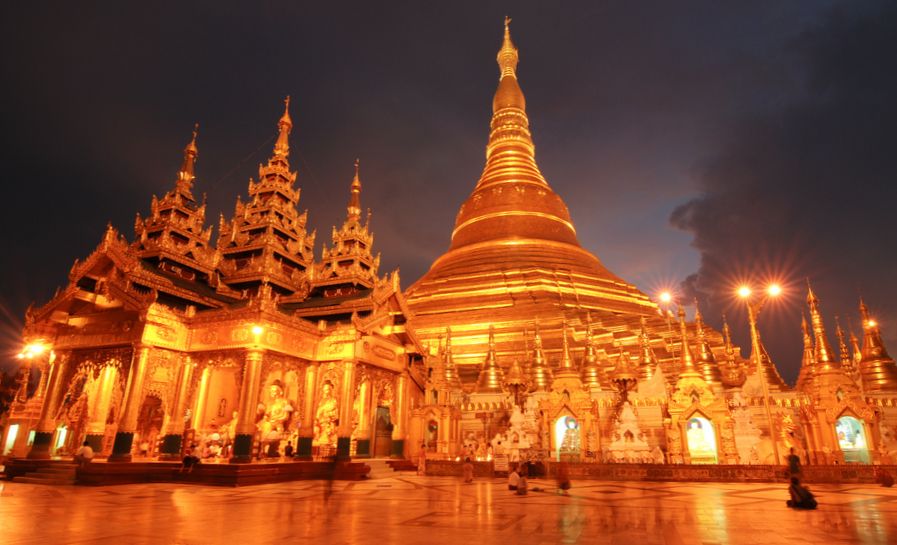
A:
[(517, 343)]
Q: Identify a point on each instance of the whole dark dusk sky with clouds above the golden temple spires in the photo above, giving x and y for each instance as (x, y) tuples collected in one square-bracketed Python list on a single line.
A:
[(696, 144)]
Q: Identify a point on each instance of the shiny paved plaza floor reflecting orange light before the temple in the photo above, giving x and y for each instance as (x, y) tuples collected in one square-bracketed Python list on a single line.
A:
[(436, 510)]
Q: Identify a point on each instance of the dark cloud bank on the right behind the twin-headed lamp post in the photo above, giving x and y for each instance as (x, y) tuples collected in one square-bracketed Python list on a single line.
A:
[(807, 188)]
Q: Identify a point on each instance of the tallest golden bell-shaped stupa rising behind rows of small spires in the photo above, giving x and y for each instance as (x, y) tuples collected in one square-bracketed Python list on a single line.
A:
[(514, 259)]
